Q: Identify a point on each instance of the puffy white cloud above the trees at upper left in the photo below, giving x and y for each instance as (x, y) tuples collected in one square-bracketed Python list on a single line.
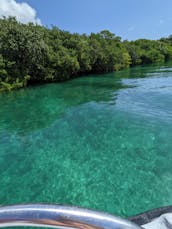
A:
[(22, 11)]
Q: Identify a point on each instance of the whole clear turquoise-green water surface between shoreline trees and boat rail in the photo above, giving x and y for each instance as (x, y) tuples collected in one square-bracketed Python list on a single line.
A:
[(103, 142)]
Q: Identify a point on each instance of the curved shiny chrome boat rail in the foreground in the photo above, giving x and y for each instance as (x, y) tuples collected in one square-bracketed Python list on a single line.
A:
[(57, 216)]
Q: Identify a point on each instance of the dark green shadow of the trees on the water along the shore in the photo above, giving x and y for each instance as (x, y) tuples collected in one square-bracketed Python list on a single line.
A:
[(38, 107)]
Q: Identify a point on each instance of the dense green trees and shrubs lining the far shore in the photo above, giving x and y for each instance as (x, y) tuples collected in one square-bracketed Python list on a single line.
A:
[(35, 54)]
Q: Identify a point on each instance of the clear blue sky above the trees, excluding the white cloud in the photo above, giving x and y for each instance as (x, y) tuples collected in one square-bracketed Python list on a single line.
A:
[(130, 19)]
